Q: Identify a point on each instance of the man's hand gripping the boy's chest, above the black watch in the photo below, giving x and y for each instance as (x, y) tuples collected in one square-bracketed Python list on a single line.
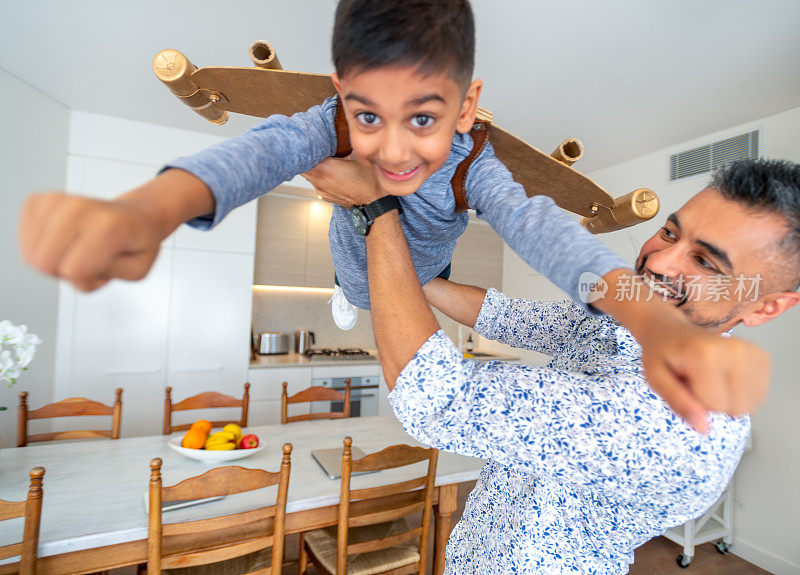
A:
[(347, 182)]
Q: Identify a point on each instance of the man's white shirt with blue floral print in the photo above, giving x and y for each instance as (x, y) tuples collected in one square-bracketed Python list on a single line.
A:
[(585, 462)]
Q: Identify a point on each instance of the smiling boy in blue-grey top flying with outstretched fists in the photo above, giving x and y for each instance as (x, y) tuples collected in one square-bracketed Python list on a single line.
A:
[(403, 71)]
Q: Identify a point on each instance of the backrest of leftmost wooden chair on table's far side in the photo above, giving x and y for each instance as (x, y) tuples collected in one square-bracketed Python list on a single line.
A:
[(71, 407)]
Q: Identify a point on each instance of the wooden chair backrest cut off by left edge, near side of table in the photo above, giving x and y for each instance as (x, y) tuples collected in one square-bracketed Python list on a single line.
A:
[(31, 510)]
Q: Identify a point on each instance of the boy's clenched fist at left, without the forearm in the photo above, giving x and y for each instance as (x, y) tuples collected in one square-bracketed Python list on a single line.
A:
[(87, 241)]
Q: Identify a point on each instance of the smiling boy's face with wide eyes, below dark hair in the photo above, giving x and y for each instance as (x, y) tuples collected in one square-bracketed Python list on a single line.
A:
[(402, 122)]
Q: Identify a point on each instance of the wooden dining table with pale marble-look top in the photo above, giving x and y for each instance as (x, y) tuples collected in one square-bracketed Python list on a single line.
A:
[(94, 516)]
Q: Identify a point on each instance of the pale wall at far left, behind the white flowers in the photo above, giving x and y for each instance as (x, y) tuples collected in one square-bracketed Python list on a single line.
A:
[(33, 147)]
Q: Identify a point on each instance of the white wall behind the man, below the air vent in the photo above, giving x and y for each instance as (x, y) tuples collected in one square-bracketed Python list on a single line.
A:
[(767, 528)]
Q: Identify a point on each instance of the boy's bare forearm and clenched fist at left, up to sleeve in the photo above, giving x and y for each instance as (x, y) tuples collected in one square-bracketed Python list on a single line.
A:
[(88, 241)]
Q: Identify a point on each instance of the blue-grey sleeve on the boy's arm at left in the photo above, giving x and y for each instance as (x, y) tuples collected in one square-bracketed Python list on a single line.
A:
[(279, 148)]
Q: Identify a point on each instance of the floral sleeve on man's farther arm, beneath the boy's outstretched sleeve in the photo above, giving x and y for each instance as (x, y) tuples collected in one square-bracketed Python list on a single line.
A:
[(543, 326)]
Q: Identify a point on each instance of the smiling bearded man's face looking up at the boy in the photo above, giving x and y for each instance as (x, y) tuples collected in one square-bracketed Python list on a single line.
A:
[(713, 258)]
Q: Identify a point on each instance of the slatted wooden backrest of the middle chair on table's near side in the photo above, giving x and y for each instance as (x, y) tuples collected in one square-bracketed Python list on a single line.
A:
[(254, 530)]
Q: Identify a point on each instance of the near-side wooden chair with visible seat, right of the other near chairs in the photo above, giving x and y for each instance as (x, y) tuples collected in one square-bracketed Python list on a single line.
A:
[(372, 535)]
